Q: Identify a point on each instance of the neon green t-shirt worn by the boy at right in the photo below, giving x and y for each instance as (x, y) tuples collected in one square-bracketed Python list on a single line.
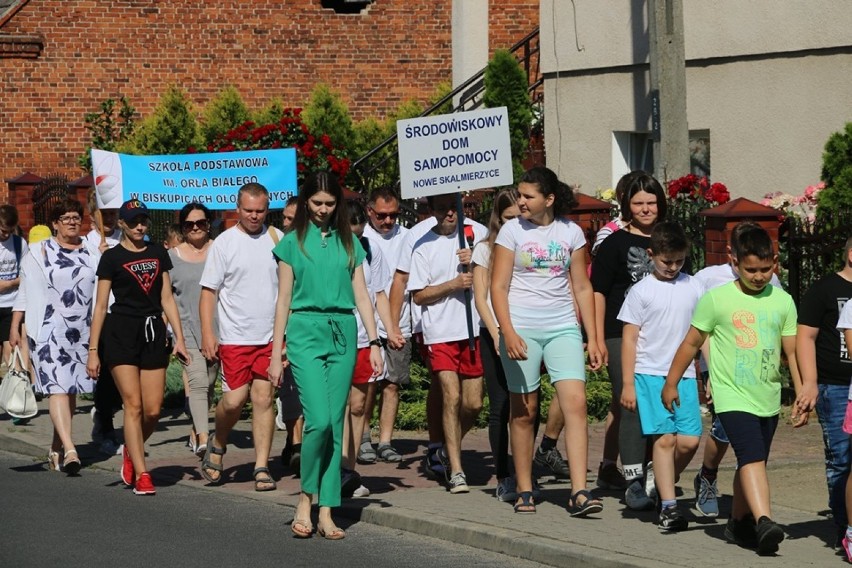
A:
[(745, 350)]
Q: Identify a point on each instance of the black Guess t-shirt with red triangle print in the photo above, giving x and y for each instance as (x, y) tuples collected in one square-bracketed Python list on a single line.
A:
[(137, 279)]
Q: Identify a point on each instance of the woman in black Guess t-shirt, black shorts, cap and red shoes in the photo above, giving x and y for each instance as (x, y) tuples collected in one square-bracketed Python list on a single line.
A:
[(137, 352)]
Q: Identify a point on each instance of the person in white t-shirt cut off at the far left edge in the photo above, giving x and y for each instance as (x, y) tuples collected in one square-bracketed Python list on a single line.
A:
[(12, 250)]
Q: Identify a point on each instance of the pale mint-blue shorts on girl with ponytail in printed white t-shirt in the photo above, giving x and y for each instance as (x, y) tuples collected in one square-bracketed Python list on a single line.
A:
[(561, 350)]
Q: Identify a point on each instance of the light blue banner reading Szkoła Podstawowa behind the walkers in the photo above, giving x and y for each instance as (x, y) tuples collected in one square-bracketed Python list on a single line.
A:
[(170, 182)]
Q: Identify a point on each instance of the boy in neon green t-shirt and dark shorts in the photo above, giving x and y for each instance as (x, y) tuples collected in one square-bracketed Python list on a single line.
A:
[(750, 323)]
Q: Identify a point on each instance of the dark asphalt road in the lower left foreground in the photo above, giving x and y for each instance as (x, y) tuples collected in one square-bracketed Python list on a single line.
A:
[(90, 521)]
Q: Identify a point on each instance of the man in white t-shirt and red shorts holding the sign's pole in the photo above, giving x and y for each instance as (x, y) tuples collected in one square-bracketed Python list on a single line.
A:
[(438, 281)]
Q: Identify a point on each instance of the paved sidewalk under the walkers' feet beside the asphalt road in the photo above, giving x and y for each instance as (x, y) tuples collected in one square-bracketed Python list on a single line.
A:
[(402, 498)]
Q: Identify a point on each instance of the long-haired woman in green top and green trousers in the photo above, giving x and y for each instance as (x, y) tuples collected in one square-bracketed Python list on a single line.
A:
[(320, 283)]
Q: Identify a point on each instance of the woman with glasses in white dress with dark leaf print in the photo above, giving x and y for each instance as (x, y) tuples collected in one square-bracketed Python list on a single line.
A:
[(55, 300)]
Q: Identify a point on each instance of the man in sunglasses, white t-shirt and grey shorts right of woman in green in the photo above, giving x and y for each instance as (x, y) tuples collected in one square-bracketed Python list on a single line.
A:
[(388, 235)]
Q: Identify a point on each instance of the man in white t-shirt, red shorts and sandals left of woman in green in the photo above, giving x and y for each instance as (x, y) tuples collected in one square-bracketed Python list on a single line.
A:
[(240, 281)]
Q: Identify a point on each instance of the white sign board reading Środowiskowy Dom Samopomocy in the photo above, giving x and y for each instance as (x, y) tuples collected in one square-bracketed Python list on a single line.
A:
[(454, 152)]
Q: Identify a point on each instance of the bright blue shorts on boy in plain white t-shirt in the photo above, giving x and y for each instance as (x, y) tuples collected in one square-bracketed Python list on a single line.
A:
[(655, 419)]
